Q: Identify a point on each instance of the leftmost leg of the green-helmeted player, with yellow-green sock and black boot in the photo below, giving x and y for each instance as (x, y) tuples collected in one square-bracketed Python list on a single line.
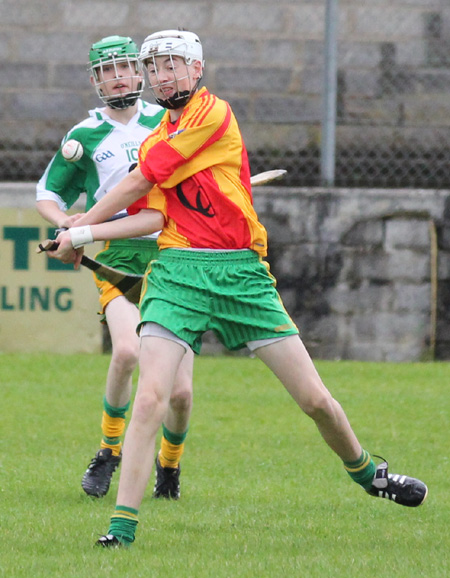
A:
[(122, 318)]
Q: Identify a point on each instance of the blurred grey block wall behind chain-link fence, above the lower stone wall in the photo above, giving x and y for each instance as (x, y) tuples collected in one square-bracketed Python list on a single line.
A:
[(267, 59)]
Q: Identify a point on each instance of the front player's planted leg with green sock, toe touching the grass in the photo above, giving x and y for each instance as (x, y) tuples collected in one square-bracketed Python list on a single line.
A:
[(158, 364)]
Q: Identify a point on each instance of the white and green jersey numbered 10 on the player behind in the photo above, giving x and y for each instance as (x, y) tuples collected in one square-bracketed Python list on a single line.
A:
[(110, 152)]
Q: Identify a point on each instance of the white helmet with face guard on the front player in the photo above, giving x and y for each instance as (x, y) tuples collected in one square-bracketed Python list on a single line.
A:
[(171, 43)]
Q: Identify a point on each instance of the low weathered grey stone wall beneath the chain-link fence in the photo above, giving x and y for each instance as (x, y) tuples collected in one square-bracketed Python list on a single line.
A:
[(354, 268)]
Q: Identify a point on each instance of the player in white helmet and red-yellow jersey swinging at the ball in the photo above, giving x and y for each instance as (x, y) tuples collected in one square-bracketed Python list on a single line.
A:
[(193, 182)]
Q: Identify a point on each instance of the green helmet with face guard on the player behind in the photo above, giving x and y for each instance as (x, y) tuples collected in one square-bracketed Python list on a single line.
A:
[(114, 50)]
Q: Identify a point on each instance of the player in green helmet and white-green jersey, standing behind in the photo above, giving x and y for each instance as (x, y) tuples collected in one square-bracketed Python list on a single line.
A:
[(110, 138)]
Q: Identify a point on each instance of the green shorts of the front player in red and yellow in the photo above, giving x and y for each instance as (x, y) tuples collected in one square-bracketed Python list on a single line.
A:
[(231, 293)]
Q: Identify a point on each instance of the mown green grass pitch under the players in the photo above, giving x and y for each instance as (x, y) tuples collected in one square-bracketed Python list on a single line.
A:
[(262, 495)]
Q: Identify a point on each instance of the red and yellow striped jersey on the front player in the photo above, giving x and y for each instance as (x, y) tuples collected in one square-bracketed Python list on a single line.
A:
[(202, 180)]
